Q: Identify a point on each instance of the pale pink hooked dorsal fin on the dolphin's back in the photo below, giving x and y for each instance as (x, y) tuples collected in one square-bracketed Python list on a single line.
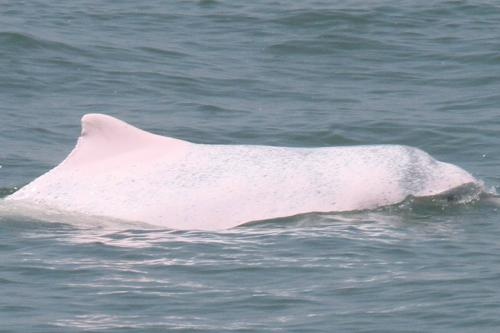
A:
[(104, 137)]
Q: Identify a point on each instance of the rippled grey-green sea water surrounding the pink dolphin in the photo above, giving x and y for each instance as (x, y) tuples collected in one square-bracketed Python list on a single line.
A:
[(309, 73)]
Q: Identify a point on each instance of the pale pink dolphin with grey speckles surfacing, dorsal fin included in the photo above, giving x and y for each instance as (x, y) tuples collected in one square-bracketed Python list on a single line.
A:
[(119, 171)]
